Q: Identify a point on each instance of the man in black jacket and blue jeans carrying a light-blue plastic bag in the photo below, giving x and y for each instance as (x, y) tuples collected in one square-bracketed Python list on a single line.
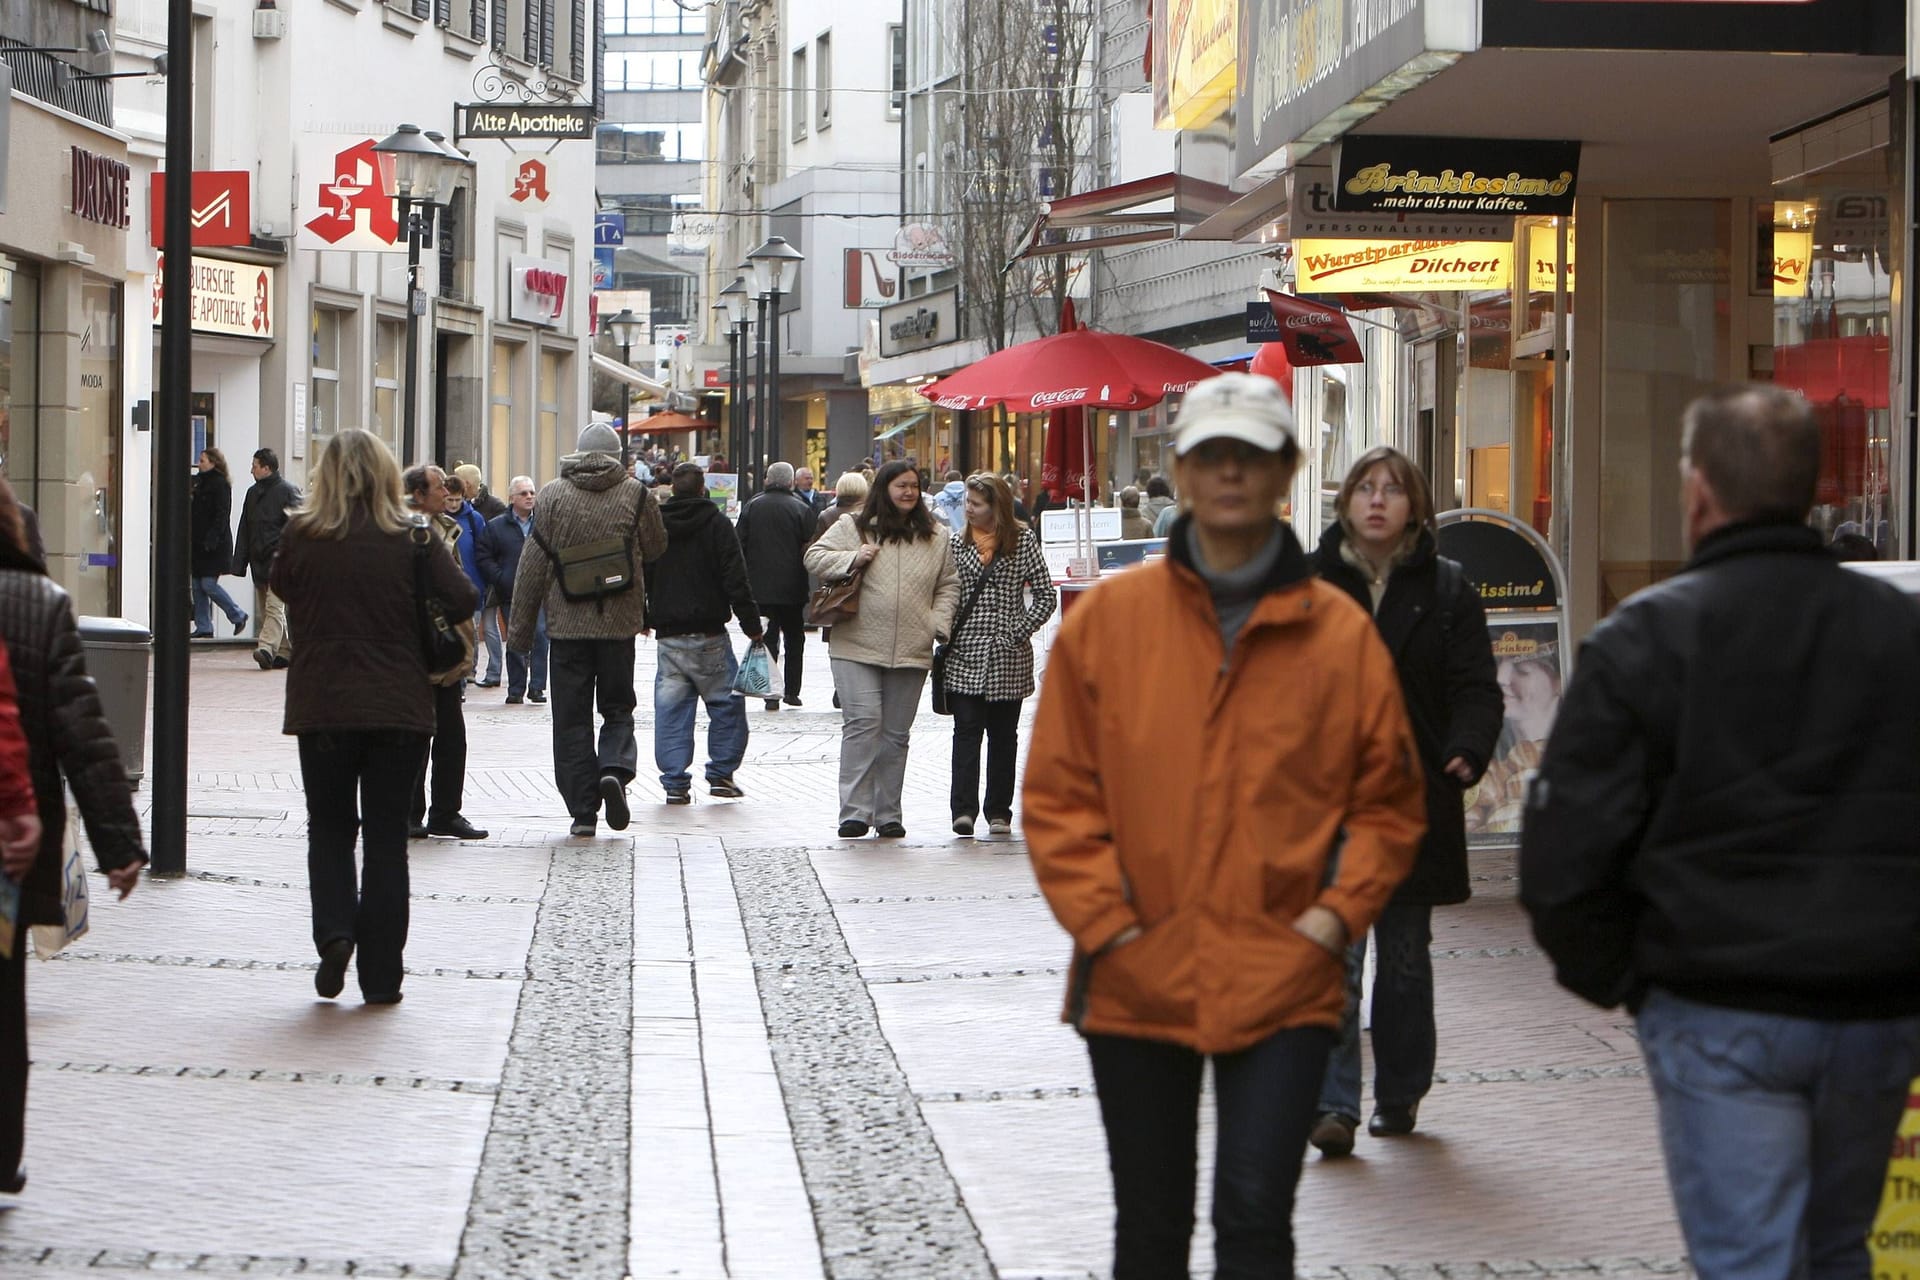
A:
[(690, 594)]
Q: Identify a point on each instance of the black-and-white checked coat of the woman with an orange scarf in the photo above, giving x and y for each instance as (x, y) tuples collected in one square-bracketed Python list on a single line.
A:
[(992, 655)]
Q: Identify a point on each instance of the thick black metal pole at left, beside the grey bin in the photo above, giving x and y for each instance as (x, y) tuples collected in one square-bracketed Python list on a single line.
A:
[(174, 448)]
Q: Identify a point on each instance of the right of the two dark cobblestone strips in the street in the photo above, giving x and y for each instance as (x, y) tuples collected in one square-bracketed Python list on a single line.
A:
[(886, 1204)]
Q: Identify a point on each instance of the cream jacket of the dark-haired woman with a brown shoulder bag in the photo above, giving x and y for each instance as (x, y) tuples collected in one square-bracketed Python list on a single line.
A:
[(907, 598)]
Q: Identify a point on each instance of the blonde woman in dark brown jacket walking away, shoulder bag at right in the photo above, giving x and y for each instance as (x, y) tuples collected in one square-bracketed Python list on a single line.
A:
[(360, 698)]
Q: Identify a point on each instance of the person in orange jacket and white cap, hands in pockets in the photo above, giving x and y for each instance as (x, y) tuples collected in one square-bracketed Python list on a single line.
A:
[(1214, 849)]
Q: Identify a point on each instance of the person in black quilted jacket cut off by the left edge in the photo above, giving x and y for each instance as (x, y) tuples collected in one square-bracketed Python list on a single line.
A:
[(68, 740)]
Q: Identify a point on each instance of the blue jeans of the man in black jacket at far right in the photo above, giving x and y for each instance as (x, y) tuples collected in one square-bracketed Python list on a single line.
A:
[(1777, 1133)]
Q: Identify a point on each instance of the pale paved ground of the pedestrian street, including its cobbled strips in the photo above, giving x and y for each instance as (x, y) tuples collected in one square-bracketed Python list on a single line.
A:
[(717, 1045)]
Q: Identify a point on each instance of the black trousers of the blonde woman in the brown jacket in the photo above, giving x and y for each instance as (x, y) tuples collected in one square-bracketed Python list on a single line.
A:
[(358, 786)]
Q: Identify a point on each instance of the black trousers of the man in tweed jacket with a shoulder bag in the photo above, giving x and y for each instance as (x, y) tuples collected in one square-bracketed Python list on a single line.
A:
[(583, 675)]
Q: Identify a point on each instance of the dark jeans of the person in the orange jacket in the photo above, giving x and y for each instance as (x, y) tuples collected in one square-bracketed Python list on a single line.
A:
[(1151, 1108)]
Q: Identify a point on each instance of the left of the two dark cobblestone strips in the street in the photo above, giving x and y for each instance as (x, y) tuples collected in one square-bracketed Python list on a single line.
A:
[(552, 1193)]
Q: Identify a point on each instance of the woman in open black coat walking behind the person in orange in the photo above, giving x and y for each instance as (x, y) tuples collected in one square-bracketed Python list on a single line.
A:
[(1383, 556)]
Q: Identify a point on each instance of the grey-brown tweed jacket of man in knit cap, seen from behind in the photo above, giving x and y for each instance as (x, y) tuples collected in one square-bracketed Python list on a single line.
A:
[(590, 502)]
